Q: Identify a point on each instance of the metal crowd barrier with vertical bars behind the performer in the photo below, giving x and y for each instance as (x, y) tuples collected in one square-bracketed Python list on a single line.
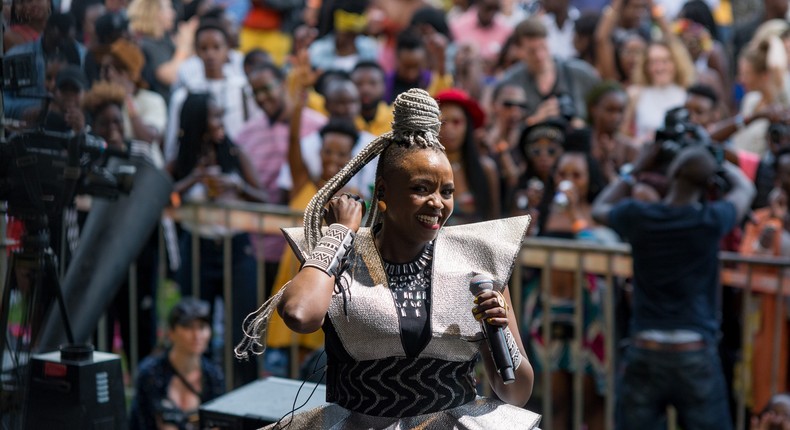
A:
[(581, 258)]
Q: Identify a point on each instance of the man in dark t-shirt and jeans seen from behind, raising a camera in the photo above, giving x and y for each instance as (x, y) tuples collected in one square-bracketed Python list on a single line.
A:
[(674, 324)]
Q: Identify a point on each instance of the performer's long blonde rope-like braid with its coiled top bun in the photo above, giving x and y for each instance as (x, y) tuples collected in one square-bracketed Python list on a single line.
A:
[(416, 123)]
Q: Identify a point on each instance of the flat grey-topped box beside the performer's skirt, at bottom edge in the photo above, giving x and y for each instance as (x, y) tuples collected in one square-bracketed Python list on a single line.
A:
[(260, 403)]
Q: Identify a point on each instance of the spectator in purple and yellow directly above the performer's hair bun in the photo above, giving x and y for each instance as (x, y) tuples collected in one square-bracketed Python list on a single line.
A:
[(413, 67)]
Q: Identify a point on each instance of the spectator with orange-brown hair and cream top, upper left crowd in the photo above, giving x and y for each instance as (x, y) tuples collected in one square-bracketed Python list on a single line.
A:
[(144, 111)]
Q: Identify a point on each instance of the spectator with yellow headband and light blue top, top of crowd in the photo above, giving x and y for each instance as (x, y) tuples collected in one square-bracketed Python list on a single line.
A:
[(346, 45)]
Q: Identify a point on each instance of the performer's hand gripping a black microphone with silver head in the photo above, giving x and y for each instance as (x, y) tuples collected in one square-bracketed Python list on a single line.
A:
[(491, 310)]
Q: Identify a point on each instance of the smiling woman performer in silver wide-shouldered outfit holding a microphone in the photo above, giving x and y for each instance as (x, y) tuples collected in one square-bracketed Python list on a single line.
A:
[(402, 329)]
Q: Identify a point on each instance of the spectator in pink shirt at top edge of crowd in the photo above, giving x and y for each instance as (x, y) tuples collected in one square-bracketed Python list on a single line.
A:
[(483, 28)]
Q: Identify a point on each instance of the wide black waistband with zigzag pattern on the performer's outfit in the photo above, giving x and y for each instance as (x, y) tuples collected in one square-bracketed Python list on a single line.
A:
[(401, 387)]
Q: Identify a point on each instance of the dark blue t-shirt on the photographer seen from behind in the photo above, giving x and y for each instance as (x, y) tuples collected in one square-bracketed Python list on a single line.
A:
[(675, 253)]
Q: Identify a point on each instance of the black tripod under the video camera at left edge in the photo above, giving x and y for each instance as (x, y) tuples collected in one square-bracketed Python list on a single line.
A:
[(30, 288)]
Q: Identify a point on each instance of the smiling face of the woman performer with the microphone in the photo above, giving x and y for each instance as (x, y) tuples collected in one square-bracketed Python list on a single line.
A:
[(418, 192)]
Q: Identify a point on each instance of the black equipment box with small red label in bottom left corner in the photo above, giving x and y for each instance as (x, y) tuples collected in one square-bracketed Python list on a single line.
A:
[(78, 390)]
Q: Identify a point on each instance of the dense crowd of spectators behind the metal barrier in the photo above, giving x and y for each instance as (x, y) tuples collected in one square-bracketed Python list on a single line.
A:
[(557, 109)]
